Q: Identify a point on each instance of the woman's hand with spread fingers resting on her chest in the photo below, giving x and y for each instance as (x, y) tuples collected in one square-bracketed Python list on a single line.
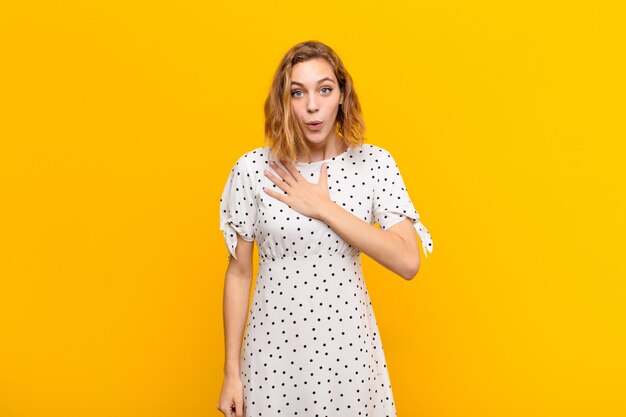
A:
[(306, 198)]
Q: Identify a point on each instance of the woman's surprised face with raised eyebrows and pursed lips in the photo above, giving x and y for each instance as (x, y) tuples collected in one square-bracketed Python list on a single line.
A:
[(315, 99)]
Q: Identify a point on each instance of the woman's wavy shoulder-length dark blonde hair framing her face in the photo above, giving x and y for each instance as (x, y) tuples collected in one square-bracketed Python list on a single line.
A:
[(282, 131)]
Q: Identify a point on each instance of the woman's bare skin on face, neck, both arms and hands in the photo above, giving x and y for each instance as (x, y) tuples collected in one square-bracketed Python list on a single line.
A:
[(315, 96)]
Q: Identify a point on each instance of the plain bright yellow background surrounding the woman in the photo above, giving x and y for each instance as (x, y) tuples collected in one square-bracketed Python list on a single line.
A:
[(120, 122)]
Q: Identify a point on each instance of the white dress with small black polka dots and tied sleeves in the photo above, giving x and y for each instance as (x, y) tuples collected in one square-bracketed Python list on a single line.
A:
[(311, 345)]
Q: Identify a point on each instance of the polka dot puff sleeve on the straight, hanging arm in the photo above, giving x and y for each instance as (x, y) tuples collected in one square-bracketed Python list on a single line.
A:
[(238, 206)]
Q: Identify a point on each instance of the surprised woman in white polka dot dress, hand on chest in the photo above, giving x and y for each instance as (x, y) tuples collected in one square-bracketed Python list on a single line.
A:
[(310, 198)]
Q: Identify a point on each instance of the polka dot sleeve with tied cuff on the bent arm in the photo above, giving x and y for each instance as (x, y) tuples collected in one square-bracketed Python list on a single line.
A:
[(392, 202)]
